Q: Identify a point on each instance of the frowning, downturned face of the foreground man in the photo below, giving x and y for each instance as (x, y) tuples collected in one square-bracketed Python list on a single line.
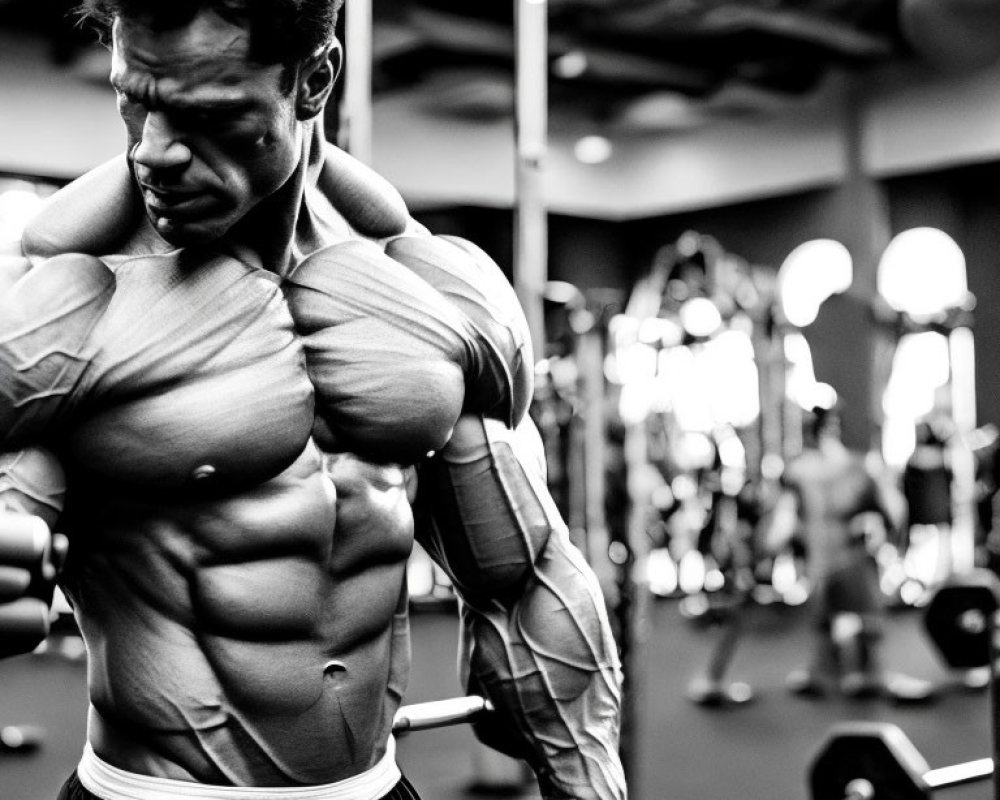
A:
[(210, 133)]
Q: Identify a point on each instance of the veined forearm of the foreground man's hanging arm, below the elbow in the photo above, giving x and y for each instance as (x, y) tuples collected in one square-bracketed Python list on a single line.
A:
[(550, 666)]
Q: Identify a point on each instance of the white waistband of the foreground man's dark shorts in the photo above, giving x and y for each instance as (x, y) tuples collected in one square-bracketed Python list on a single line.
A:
[(111, 783)]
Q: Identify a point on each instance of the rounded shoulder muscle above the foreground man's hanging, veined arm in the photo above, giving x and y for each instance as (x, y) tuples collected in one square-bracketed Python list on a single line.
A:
[(473, 282)]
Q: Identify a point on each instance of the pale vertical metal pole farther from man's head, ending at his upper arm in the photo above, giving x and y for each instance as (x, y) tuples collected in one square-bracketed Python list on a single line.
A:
[(530, 136)]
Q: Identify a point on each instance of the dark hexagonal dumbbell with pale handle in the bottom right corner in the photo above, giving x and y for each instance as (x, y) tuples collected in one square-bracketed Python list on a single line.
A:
[(876, 761)]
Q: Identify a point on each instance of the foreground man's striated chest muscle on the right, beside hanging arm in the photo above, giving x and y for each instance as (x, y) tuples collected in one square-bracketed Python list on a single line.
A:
[(388, 355)]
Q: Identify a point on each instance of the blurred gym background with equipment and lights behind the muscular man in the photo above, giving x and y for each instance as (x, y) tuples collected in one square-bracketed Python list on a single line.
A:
[(723, 219)]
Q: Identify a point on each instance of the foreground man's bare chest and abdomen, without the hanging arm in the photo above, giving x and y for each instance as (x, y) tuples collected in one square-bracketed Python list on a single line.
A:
[(240, 590)]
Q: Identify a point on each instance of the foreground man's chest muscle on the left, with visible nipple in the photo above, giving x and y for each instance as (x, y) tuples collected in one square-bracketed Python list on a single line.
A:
[(198, 374)]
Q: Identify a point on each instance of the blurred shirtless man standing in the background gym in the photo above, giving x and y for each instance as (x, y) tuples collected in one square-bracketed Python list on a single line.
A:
[(826, 491)]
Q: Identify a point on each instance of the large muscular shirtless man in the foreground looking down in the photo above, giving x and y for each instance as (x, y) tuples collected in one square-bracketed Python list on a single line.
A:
[(240, 379)]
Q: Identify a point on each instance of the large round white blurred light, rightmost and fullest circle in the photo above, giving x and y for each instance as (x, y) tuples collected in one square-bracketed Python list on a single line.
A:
[(922, 272)]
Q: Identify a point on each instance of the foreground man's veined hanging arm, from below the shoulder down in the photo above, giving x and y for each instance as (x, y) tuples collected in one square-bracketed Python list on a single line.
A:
[(536, 635)]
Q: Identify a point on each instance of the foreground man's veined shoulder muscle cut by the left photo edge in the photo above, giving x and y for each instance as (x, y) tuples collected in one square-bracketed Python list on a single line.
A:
[(45, 322)]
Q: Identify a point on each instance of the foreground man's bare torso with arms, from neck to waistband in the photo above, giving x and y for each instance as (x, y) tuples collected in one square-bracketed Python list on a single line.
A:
[(241, 449)]
